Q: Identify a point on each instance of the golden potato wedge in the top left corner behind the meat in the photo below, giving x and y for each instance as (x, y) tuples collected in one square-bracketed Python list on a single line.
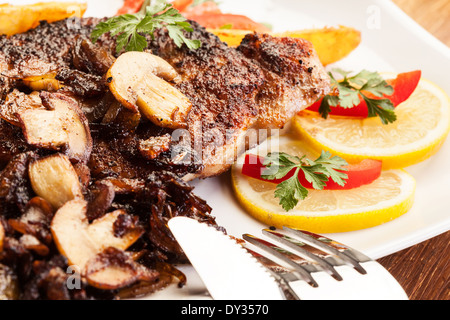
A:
[(17, 19)]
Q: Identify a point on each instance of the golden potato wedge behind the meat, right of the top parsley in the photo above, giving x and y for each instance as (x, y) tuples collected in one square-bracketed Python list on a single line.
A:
[(331, 44)]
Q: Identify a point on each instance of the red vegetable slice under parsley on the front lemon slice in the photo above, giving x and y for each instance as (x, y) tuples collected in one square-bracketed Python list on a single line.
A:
[(359, 174)]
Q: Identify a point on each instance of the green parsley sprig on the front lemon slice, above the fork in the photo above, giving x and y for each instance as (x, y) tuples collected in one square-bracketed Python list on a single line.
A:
[(317, 172)]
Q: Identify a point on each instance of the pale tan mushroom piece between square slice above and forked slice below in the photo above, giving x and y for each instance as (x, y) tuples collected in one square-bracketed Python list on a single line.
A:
[(54, 179)]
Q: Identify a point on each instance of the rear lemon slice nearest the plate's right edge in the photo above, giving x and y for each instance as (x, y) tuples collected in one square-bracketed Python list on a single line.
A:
[(422, 127)]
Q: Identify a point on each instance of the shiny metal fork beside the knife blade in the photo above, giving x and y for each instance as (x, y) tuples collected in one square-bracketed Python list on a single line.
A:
[(310, 266)]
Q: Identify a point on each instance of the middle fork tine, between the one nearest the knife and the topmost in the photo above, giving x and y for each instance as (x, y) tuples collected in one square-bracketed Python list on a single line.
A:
[(306, 250)]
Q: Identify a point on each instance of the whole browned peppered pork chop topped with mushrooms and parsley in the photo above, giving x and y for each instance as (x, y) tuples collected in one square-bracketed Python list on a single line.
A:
[(260, 85)]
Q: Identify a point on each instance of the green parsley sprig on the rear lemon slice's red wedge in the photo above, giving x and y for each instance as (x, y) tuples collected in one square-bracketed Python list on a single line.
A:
[(351, 88)]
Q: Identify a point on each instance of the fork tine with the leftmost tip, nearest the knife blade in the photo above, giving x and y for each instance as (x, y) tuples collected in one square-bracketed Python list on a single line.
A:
[(304, 271)]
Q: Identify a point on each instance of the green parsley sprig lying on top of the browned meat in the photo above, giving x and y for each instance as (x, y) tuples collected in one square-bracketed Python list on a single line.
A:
[(129, 28)]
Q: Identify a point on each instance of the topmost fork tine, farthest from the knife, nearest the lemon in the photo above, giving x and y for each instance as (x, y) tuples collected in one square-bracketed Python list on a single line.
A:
[(347, 254)]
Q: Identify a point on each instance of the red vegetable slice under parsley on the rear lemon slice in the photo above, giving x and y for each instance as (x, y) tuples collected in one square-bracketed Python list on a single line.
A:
[(404, 86)]
